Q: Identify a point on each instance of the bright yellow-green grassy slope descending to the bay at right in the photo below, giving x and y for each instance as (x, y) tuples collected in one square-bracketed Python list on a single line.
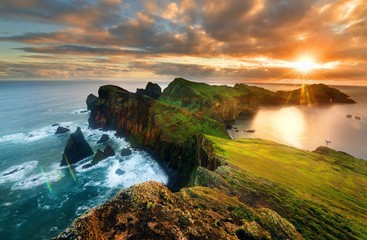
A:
[(330, 194)]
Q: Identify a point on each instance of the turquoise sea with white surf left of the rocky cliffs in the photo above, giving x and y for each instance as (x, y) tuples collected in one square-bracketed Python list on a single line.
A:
[(38, 198)]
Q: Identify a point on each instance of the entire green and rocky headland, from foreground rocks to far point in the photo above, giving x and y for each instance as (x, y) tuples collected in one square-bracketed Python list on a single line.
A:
[(222, 188)]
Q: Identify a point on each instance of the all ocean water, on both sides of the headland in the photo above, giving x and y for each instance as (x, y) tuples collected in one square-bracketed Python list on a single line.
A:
[(38, 198)]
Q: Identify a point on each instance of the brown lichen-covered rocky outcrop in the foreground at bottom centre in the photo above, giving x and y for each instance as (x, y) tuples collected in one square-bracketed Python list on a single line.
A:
[(150, 211)]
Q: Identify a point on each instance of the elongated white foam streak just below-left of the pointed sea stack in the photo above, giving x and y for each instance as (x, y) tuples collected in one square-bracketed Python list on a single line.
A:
[(38, 179)]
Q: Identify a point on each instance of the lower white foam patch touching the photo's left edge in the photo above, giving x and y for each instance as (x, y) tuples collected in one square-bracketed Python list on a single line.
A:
[(23, 170)]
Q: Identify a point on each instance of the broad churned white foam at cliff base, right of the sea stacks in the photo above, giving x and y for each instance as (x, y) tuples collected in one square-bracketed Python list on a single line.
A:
[(138, 168)]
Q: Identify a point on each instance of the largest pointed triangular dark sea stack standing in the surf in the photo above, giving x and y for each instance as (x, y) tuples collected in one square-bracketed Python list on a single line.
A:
[(76, 148)]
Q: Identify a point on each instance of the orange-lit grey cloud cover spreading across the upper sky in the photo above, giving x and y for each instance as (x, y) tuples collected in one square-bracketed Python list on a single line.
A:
[(213, 29)]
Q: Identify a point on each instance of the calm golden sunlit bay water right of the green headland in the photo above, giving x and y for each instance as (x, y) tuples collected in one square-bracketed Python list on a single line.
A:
[(310, 126)]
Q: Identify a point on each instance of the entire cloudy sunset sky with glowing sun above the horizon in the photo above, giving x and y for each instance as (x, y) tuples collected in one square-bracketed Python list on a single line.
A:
[(285, 41)]
